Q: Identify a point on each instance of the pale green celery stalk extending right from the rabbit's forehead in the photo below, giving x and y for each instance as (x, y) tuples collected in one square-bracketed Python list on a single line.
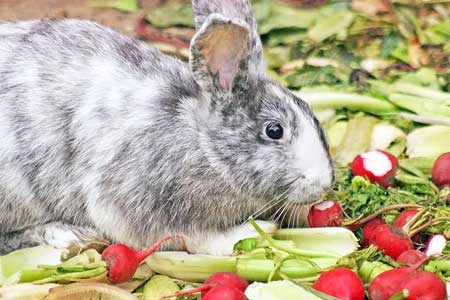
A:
[(334, 100)]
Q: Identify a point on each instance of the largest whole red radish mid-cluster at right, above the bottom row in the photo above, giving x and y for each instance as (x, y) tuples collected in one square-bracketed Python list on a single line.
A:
[(392, 240)]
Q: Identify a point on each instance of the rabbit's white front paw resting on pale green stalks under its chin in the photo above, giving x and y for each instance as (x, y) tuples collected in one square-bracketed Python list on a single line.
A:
[(222, 243)]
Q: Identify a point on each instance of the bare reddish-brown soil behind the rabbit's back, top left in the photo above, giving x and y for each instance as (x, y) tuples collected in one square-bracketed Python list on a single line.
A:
[(13, 10)]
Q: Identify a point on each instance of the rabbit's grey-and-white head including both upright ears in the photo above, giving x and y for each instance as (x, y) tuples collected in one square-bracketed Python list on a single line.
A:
[(256, 133)]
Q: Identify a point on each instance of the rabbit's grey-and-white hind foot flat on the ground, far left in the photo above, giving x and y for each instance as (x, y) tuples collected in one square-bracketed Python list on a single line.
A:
[(55, 234)]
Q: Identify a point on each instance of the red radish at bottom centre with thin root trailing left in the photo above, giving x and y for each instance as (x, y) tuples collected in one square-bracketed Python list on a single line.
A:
[(228, 279)]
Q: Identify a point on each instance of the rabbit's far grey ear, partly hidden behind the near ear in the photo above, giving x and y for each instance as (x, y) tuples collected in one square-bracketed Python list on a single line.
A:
[(234, 9)]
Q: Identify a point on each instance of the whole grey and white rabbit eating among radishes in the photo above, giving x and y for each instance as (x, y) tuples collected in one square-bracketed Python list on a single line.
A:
[(102, 135)]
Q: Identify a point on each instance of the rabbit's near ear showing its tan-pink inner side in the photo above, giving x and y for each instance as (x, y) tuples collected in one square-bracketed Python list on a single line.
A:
[(220, 53)]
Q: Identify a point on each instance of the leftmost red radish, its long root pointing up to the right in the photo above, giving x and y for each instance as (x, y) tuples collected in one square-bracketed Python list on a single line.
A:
[(122, 261)]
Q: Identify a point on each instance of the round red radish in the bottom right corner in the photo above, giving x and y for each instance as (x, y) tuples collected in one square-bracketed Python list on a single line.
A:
[(425, 286)]
